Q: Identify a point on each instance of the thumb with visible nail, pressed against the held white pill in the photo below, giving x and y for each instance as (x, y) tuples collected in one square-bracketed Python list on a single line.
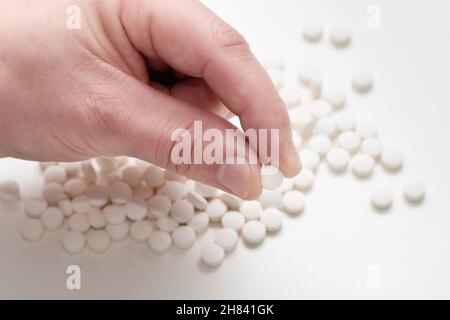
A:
[(148, 124)]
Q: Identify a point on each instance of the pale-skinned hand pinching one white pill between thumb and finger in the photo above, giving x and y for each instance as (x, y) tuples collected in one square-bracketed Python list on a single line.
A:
[(69, 95)]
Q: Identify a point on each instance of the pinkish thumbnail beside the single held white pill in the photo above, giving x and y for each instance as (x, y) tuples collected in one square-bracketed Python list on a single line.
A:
[(235, 176)]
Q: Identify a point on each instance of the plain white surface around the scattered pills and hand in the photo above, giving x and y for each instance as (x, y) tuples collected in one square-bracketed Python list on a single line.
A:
[(339, 247)]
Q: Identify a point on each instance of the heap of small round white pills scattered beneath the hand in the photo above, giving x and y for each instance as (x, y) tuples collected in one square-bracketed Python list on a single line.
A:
[(98, 202)]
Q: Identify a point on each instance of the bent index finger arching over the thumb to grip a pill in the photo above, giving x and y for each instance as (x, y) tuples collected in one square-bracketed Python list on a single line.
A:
[(194, 41)]
